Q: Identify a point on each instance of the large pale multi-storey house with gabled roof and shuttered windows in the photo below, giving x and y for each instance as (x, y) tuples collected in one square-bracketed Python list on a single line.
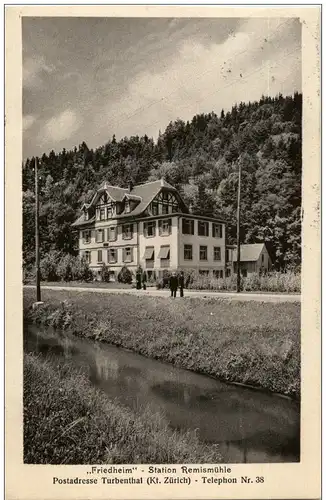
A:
[(150, 226)]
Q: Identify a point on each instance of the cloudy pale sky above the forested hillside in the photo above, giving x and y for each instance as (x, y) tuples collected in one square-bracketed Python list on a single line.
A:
[(85, 79)]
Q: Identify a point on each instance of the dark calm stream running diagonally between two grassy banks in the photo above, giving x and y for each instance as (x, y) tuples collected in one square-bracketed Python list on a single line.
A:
[(248, 425)]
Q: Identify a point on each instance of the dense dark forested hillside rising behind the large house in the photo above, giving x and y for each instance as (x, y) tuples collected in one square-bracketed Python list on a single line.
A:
[(199, 157)]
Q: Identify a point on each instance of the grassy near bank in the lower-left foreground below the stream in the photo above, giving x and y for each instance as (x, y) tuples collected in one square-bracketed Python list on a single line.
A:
[(68, 421)]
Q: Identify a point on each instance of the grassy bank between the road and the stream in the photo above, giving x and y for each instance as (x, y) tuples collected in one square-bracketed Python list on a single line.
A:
[(248, 342)]
